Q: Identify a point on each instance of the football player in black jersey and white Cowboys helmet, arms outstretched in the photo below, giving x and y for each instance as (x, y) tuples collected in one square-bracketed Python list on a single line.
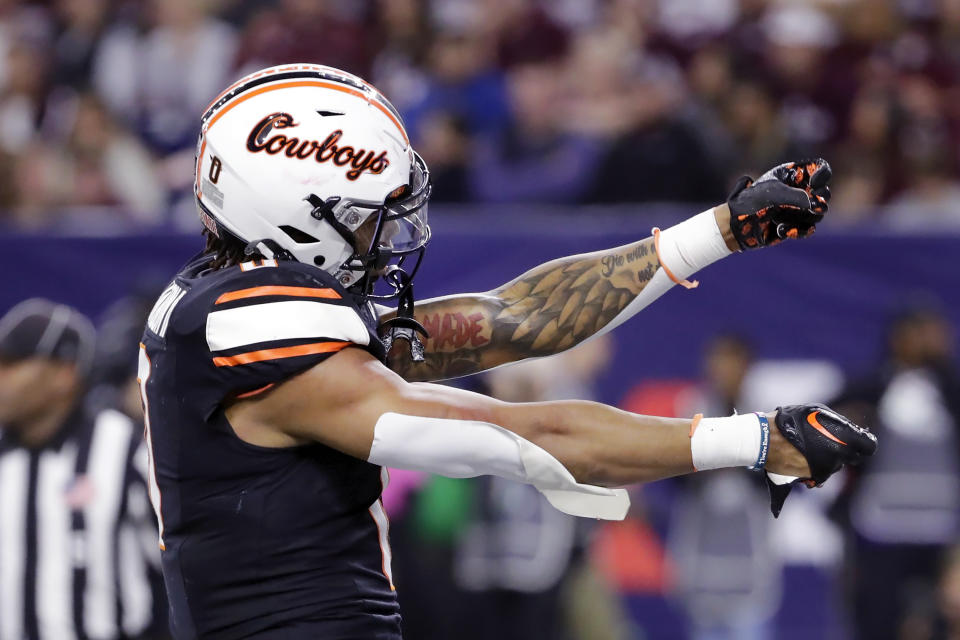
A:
[(277, 390)]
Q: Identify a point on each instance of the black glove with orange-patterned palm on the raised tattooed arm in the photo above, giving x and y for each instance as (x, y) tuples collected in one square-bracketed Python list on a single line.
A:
[(786, 202)]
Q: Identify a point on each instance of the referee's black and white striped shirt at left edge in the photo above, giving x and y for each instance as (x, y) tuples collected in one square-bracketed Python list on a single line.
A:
[(77, 536)]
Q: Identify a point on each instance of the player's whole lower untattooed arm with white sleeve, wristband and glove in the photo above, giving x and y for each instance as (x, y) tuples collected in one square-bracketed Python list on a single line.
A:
[(353, 403)]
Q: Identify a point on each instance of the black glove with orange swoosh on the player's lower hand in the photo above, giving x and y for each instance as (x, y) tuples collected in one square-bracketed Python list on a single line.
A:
[(825, 438)]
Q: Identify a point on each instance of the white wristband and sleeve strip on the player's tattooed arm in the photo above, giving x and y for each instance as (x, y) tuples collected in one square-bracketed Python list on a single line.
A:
[(684, 248)]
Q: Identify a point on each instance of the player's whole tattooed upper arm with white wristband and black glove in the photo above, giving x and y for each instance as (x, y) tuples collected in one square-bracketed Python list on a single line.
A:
[(561, 303)]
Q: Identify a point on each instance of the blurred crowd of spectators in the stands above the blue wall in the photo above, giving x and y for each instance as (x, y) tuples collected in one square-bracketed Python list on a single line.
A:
[(561, 102)]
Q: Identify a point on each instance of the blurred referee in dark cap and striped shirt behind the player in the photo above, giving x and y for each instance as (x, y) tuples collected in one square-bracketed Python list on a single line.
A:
[(77, 538)]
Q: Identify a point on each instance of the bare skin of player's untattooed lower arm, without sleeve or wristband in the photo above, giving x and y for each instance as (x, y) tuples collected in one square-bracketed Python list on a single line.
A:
[(340, 402)]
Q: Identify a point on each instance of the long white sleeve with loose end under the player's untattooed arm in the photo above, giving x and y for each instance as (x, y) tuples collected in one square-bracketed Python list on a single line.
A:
[(465, 448)]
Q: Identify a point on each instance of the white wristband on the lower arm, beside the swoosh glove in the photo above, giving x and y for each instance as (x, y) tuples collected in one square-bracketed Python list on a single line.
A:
[(735, 441)]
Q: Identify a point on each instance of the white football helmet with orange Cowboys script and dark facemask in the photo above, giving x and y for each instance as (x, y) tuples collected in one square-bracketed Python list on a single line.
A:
[(298, 158)]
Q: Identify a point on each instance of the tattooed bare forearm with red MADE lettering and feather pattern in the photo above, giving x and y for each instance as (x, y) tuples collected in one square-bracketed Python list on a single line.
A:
[(549, 309)]
